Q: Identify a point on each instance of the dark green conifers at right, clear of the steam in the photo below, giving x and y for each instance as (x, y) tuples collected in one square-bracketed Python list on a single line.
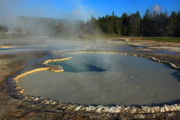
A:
[(151, 24)]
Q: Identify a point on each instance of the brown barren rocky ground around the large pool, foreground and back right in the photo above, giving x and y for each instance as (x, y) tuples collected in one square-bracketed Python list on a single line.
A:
[(41, 109)]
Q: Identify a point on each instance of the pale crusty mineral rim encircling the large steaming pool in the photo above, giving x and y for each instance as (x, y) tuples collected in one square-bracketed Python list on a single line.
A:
[(171, 106)]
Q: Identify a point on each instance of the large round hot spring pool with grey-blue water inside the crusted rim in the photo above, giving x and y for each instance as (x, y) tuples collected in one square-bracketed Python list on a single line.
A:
[(105, 79)]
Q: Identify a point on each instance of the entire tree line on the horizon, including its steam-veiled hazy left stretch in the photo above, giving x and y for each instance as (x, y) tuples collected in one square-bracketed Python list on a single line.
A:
[(152, 23)]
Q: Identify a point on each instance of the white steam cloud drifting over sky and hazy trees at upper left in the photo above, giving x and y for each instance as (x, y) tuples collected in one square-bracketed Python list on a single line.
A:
[(42, 17)]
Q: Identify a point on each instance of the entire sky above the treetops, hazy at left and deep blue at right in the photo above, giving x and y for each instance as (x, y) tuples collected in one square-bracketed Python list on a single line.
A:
[(81, 9)]
